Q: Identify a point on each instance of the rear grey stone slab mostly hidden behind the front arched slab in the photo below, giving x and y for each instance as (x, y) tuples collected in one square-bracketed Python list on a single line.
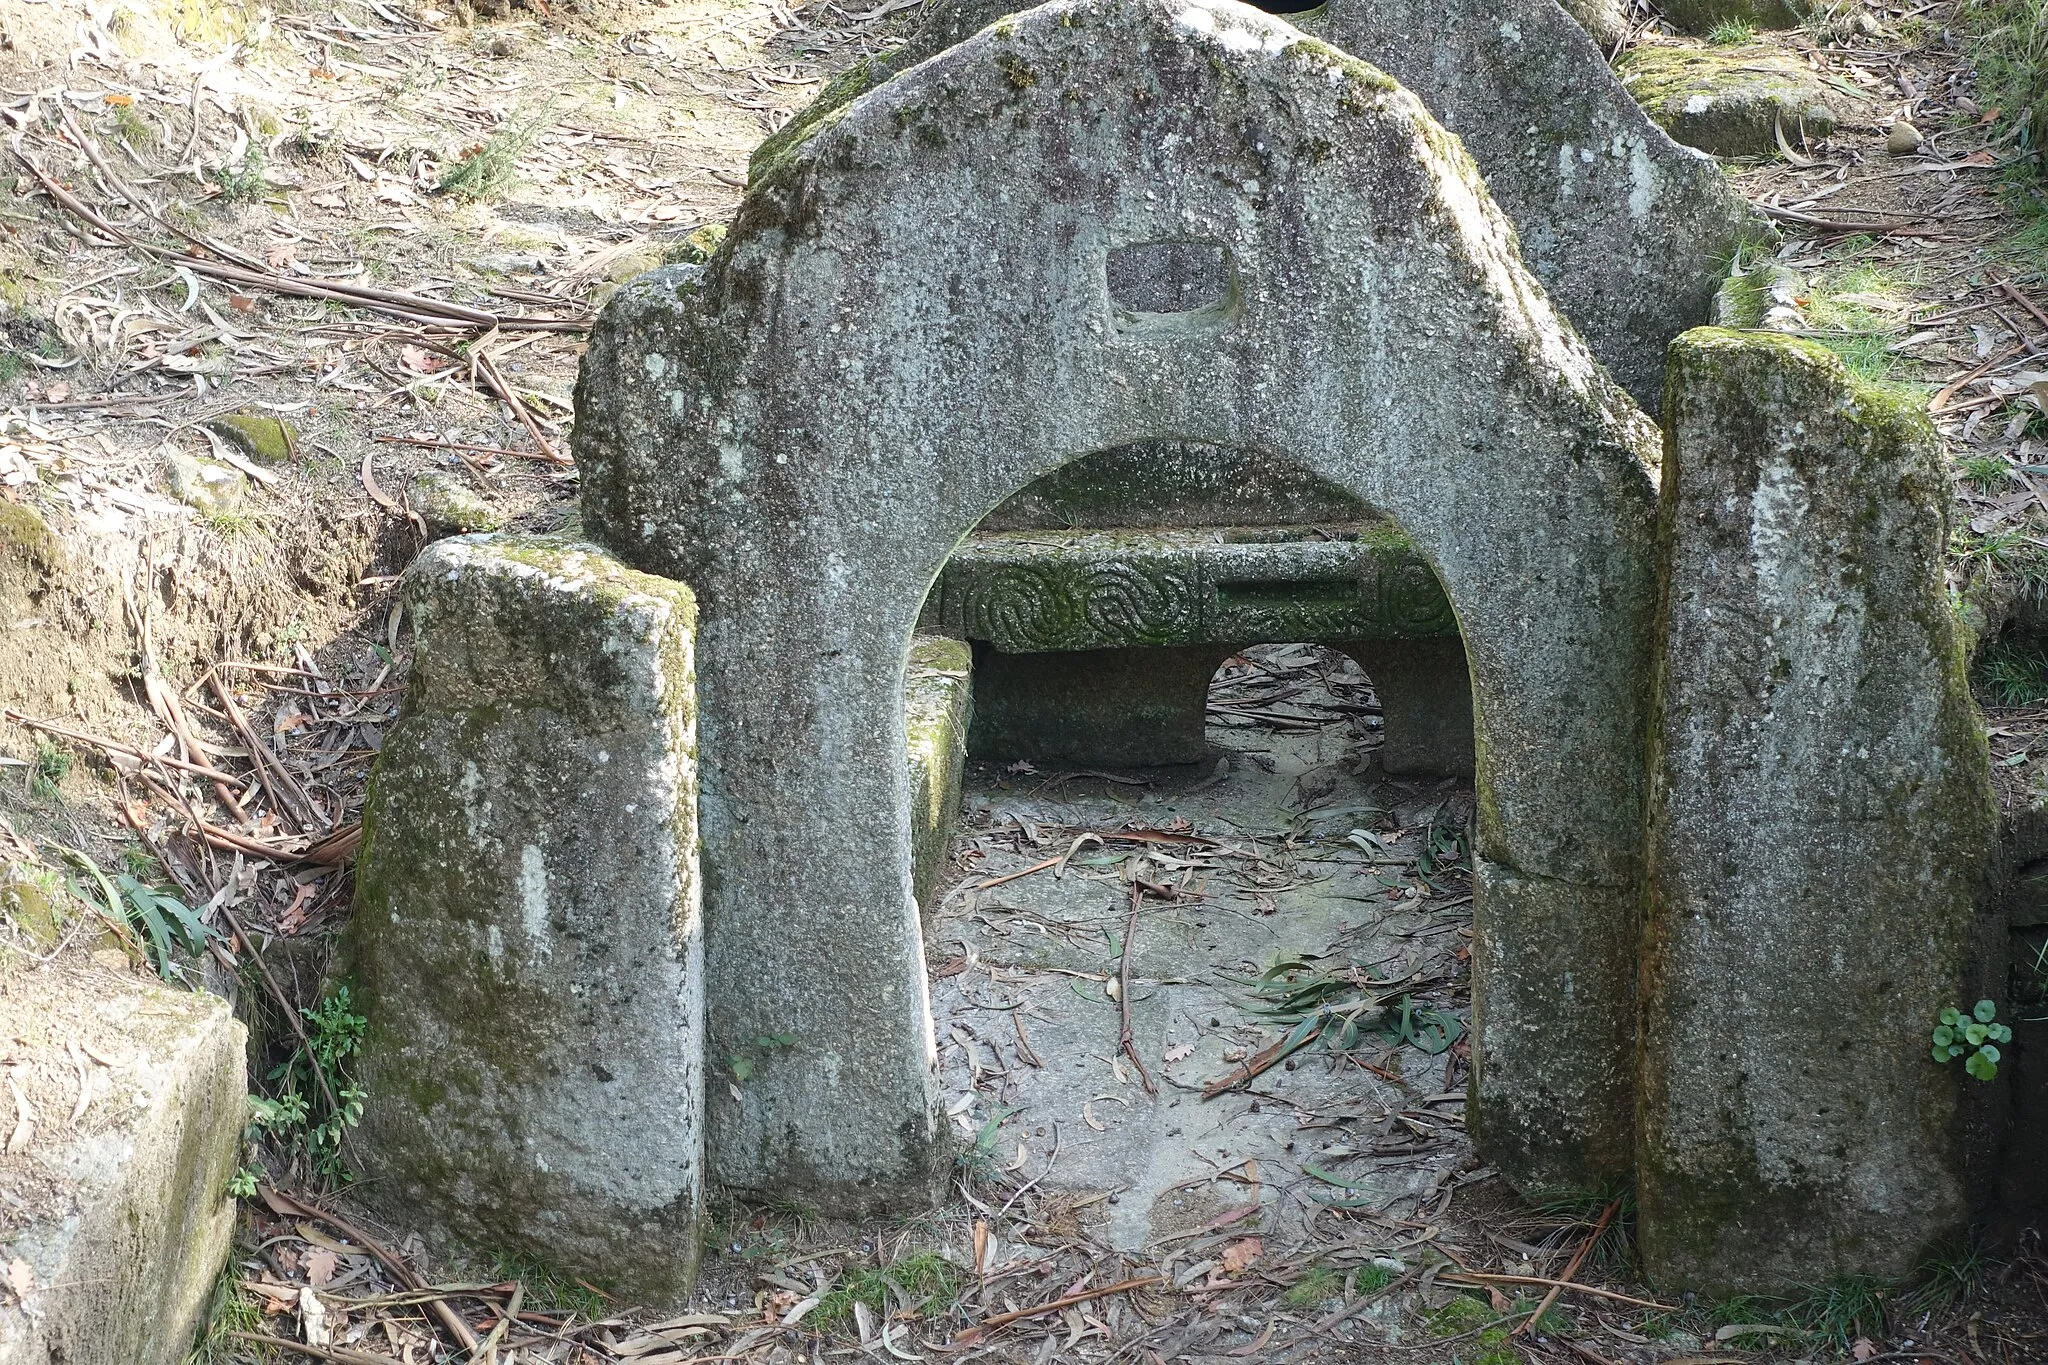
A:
[(1627, 230)]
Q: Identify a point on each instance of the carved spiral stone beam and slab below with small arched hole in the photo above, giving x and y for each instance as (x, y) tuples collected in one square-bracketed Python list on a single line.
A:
[(1097, 646)]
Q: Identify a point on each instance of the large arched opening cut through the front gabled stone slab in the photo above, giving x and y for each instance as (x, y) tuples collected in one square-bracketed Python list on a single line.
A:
[(1181, 840)]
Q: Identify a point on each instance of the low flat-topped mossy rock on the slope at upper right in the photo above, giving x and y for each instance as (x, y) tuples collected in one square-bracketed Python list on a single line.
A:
[(1730, 101)]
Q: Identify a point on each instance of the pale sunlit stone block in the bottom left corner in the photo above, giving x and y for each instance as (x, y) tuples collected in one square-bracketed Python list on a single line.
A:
[(120, 1213)]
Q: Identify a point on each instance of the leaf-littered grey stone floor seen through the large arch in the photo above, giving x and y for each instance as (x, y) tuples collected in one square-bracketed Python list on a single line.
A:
[(1283, 879)]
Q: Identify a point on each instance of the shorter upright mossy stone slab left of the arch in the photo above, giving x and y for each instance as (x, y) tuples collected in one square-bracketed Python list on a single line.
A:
[(527, 918)]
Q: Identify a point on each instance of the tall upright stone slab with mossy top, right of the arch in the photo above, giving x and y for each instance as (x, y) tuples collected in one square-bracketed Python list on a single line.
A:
[(1820, 816)]
